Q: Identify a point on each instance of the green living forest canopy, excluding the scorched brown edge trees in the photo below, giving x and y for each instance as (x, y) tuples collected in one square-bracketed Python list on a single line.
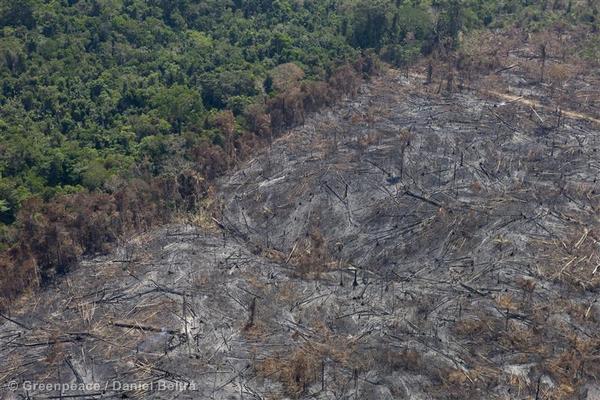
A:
[(91, 89)]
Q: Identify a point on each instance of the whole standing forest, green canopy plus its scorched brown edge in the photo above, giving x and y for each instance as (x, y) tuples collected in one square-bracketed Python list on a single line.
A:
[(113, 111)]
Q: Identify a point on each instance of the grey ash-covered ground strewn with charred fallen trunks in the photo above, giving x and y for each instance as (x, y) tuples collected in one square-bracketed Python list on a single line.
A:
[(402, 245)]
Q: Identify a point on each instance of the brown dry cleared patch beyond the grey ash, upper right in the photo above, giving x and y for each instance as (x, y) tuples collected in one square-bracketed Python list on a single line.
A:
[(549, 65)]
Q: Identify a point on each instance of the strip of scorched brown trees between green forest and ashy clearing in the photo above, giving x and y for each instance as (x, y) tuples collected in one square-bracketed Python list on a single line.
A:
[(51, 237)]
